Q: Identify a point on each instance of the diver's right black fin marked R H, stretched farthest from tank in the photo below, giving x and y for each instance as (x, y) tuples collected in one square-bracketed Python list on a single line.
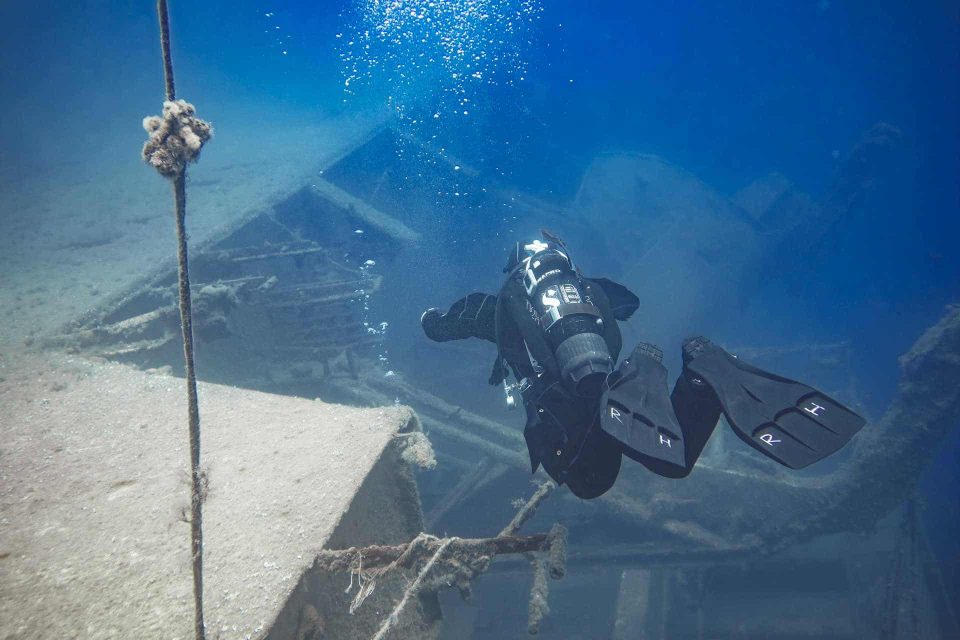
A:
[(790, 422)]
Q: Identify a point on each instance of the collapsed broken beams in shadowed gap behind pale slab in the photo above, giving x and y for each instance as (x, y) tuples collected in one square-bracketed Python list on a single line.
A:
[(275, 295)]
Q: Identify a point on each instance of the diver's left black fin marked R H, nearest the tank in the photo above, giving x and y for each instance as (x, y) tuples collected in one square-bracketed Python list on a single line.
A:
[(637, 412)]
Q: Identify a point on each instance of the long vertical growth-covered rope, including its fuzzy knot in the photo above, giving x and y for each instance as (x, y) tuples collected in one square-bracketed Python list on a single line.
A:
[(176, 139)]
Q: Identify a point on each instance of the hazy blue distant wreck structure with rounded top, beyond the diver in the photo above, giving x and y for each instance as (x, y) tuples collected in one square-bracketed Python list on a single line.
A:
[(694, 251)]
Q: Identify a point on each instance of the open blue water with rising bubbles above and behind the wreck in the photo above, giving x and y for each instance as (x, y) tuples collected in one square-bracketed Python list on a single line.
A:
[(726, 91)]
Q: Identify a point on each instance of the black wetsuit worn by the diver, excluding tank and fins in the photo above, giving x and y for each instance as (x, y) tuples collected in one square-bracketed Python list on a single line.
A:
[(562, 429)]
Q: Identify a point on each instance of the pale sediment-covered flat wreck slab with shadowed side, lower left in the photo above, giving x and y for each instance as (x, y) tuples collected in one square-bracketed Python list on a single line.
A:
[(95, 498)]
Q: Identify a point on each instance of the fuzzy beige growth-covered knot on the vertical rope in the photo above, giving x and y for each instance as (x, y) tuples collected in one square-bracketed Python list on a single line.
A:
[(176, 138)]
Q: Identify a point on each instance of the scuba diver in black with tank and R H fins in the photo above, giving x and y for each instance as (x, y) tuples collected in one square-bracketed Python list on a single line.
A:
[(556, 332)]
